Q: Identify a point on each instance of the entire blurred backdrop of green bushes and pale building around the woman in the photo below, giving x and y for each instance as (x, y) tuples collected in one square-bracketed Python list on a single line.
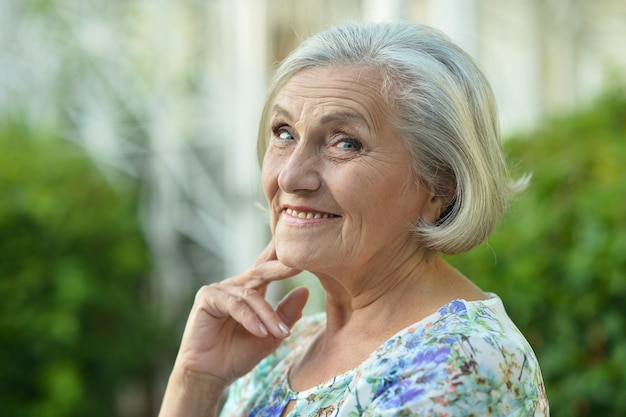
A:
[(128, 178)]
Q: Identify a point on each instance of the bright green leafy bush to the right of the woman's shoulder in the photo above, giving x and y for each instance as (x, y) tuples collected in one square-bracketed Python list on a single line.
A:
[(558, 260)]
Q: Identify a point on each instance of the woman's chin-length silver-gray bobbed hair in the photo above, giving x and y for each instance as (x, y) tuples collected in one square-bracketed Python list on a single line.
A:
[(445, 110)]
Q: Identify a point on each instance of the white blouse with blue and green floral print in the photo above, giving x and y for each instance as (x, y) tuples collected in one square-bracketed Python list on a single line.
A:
[(467, 359)]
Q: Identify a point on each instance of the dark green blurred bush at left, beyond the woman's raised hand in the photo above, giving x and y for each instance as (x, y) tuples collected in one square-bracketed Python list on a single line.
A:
[(75, 324)]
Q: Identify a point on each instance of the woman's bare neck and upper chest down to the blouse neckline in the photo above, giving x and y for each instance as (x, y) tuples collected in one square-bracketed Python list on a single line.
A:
[(364, 311)]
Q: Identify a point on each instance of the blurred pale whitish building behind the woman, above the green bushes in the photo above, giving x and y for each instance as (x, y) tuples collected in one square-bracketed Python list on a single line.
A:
[(170, 92)]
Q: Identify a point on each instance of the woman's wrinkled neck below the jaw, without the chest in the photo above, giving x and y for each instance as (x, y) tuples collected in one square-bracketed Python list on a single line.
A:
[(382, 304)]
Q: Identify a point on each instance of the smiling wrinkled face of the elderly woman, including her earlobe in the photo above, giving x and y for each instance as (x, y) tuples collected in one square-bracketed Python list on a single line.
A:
[(338, 179)]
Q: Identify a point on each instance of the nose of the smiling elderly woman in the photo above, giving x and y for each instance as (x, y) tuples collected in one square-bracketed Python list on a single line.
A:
[(300, 174)]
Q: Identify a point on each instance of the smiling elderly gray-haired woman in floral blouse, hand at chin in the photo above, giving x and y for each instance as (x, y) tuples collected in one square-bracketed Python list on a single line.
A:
[(379, 151)]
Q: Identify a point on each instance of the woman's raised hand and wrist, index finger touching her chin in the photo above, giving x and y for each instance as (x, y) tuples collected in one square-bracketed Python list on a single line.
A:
[(231, 327)]
